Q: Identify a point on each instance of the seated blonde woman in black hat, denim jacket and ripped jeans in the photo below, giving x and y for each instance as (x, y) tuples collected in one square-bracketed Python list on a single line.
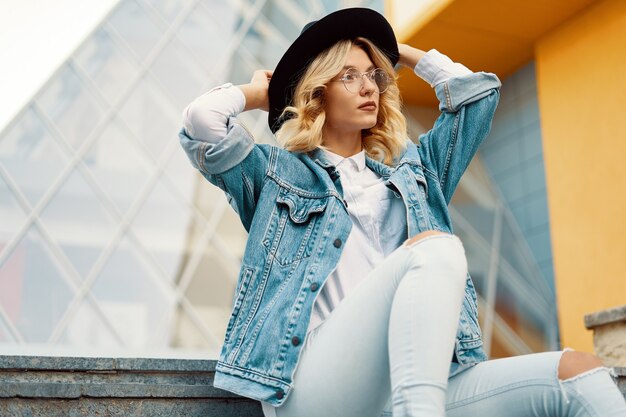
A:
[(353, 297)]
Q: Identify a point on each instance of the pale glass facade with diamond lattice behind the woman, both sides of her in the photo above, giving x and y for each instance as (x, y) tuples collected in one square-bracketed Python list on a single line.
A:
[(110, 240)]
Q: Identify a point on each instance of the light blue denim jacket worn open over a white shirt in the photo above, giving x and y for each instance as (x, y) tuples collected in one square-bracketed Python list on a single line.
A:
[(292, 207)]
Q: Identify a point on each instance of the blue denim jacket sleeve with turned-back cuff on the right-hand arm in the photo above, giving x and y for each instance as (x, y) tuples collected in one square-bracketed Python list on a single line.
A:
[(467, 104)]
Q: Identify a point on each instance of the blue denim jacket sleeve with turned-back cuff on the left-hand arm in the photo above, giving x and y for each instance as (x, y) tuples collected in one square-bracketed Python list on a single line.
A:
[(236, 164)]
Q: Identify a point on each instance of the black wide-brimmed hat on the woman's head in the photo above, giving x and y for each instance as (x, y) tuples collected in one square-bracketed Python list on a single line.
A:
[(318, 36)]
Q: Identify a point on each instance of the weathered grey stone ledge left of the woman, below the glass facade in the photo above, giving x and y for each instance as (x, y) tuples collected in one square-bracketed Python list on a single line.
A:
[(70, 386)]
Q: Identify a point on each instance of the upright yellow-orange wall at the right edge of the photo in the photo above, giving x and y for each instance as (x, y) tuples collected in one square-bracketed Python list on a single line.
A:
[(581, 81)]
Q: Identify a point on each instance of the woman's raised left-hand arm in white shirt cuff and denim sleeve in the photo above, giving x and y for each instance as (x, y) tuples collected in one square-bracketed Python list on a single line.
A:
[(222, 149)]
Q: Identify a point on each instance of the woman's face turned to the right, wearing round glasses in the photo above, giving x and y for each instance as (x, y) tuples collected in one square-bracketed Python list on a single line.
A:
[(345, 111)]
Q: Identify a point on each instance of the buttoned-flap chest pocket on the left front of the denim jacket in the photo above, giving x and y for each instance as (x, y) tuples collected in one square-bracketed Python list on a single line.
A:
[(293, 226)]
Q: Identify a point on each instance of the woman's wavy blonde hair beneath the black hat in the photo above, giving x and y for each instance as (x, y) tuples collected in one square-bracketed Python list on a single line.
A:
[(302, 132)]
